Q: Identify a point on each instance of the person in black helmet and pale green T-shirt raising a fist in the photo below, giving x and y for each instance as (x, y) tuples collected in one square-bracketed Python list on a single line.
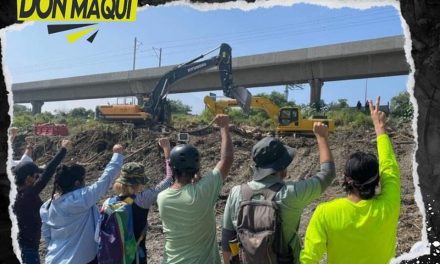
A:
[(187, 209)]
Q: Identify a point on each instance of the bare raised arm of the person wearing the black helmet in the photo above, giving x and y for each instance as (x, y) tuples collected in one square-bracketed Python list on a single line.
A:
[(227, 149)]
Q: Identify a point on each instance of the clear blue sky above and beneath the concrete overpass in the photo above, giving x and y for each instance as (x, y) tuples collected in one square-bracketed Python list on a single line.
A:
[(183, 33)]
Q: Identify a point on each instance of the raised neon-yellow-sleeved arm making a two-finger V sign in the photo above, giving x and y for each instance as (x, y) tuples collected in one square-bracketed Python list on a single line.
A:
[(388, 166)]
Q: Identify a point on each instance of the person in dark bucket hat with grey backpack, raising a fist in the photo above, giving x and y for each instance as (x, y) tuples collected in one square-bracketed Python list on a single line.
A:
[(271, 159)]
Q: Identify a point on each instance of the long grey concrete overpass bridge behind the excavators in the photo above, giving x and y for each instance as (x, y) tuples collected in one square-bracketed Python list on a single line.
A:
[(316, 65)]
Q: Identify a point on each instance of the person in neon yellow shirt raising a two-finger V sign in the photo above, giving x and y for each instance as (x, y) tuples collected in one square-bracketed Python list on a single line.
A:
[(361, 227)]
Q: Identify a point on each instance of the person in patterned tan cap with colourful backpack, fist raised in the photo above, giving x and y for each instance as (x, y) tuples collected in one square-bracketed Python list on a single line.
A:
[(130, 188)]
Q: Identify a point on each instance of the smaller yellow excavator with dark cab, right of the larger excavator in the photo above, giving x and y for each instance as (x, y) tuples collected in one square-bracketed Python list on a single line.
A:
[(287, 119)]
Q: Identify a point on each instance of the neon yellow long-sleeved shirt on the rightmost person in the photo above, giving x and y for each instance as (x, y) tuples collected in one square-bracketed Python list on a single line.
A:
[(363, 232)]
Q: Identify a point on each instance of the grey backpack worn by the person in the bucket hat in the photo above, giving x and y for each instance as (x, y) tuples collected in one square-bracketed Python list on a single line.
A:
[(259, 227)]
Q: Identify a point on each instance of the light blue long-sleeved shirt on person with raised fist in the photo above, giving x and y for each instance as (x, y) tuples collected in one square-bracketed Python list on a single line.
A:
[(69, 223)]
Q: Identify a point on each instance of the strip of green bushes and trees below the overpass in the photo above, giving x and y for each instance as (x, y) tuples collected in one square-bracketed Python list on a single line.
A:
[(79, 119)]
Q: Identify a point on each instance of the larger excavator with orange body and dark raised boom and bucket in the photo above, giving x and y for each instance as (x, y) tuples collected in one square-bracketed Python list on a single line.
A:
[(154, 107)]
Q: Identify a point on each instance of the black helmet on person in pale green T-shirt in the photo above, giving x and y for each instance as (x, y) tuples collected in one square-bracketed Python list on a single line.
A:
[(185, 158)]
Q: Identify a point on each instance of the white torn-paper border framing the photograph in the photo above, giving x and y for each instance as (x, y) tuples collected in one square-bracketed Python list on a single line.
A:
[(419, 248)]
